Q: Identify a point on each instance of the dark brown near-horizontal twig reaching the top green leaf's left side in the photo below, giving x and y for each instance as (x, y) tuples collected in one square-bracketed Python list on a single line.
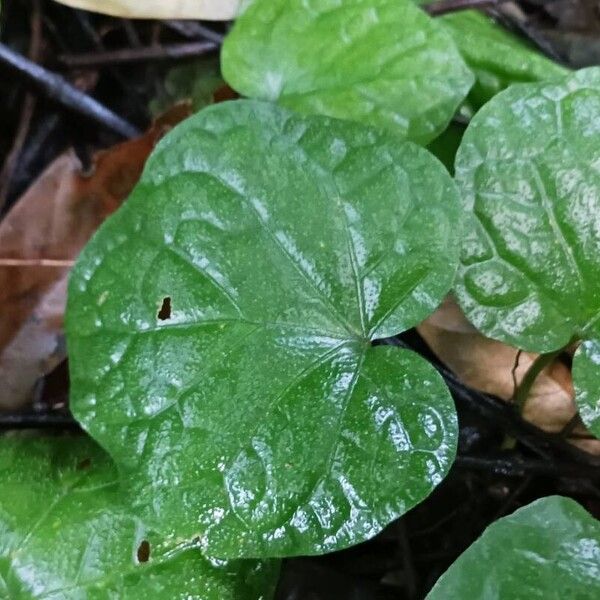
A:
[(95, 60)]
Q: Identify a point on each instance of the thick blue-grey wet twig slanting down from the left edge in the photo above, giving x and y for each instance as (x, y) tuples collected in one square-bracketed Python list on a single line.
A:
[(59, 89)]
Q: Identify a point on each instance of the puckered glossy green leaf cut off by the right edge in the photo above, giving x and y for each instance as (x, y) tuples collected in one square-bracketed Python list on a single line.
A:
[(529, 170)]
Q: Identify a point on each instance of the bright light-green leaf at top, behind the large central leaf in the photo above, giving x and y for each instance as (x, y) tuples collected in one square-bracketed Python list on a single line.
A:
[(380, 62)]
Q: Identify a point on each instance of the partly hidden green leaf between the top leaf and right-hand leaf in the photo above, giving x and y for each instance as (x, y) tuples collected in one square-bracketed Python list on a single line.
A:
[(497, 57)]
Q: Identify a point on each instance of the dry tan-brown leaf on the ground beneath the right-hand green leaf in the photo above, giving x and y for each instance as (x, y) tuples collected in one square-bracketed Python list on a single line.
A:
[(489, 366)]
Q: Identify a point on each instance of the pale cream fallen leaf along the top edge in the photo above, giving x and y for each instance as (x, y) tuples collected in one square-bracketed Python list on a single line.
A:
[(209, 10)]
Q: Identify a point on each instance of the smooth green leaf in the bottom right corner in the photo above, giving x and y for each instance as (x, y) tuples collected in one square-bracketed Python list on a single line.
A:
[(548, 549)]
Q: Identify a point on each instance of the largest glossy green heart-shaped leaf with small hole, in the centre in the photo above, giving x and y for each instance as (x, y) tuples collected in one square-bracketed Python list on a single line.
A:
[(251, 408)]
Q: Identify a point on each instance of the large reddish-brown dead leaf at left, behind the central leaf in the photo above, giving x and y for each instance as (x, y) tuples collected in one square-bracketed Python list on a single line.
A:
[(39, 239)]
